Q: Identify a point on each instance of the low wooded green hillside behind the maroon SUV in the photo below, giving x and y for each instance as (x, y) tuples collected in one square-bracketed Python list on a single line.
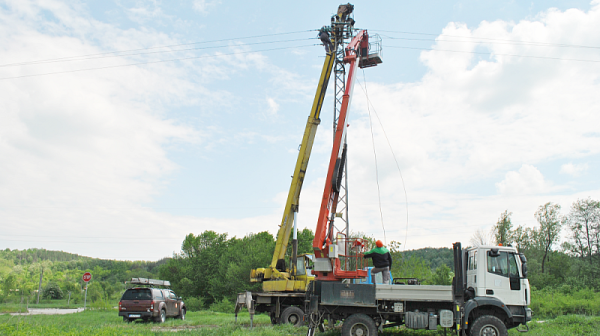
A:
[(20, 272)]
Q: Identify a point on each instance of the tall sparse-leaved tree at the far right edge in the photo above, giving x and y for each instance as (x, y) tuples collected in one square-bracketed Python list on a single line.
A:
[(584, 222)]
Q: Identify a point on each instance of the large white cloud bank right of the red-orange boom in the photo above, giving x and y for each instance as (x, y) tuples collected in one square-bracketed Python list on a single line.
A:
[(473, 118)]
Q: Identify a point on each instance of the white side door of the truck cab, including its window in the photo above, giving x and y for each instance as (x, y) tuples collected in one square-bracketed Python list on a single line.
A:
[(502, 279)]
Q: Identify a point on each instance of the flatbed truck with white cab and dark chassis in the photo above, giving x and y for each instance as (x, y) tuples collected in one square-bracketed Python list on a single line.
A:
[(489, 294)]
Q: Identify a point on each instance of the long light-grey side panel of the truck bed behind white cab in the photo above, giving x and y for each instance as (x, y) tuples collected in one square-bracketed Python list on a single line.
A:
[(413, 293)]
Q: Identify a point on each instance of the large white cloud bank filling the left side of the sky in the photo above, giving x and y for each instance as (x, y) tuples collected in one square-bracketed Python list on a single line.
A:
[(83, 151)]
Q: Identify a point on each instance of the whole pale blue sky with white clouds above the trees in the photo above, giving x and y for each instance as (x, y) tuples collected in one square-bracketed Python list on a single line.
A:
[(126, 125)]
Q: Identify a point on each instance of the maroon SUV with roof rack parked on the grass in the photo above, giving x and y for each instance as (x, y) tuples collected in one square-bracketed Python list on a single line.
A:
[(151, 303)]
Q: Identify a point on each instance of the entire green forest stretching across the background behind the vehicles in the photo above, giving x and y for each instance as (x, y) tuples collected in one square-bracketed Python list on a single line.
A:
[(212, 267)]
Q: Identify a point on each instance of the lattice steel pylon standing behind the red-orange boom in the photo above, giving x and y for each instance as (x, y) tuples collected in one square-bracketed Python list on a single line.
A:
[(341, 28)]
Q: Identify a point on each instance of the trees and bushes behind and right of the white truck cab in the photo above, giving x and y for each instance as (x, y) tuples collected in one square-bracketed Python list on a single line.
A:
[(575, 262)]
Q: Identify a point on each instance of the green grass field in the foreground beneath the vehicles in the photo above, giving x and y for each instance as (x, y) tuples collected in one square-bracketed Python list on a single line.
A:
[(217, 324)]
